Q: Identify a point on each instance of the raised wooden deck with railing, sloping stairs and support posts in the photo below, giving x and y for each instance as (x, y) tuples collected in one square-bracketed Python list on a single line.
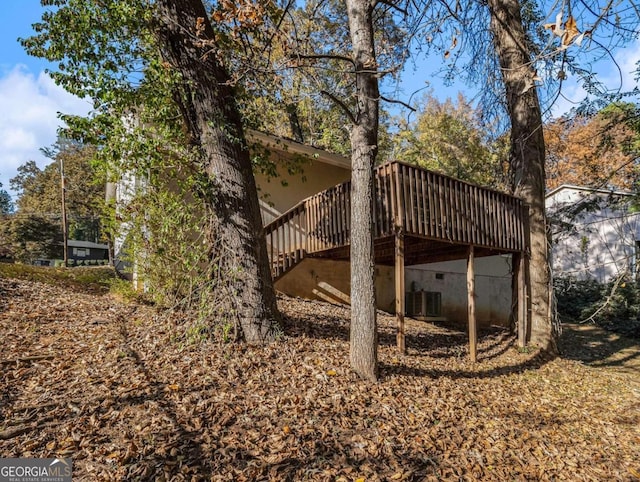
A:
[(419, 217)]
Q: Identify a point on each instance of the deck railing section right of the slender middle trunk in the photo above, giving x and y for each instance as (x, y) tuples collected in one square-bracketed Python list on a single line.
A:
[(428, 204)]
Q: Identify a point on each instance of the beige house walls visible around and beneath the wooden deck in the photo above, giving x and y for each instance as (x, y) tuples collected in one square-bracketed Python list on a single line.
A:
[(434, 291)]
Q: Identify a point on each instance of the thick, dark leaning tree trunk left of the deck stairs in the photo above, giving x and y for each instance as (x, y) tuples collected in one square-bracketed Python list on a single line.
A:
[(235, 229)]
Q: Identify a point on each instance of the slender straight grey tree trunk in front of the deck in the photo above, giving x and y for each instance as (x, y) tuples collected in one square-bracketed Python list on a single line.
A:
[(364, 148)]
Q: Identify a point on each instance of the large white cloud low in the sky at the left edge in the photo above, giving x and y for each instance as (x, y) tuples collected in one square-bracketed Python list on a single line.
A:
[(29, 119)]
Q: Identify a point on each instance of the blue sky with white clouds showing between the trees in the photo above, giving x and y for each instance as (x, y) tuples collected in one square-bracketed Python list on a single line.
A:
[(30, 101)]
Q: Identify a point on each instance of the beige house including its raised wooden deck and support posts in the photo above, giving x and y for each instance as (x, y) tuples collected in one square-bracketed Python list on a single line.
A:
[(446, 232)]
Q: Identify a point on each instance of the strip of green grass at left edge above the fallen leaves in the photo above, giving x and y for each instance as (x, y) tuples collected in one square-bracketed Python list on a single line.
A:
[(89, 278)]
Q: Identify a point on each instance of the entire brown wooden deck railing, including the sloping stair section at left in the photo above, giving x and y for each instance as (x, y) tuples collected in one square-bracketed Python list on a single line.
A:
[(419, 202)]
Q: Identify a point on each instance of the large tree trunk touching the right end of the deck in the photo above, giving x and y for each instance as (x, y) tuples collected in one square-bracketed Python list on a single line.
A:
[(527, 154)]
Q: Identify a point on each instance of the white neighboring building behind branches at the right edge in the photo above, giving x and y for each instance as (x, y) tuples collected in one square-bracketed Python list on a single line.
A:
[(594, 232)]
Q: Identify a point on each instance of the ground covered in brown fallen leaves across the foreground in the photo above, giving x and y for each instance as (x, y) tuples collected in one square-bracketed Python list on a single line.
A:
[(127, 394)]
